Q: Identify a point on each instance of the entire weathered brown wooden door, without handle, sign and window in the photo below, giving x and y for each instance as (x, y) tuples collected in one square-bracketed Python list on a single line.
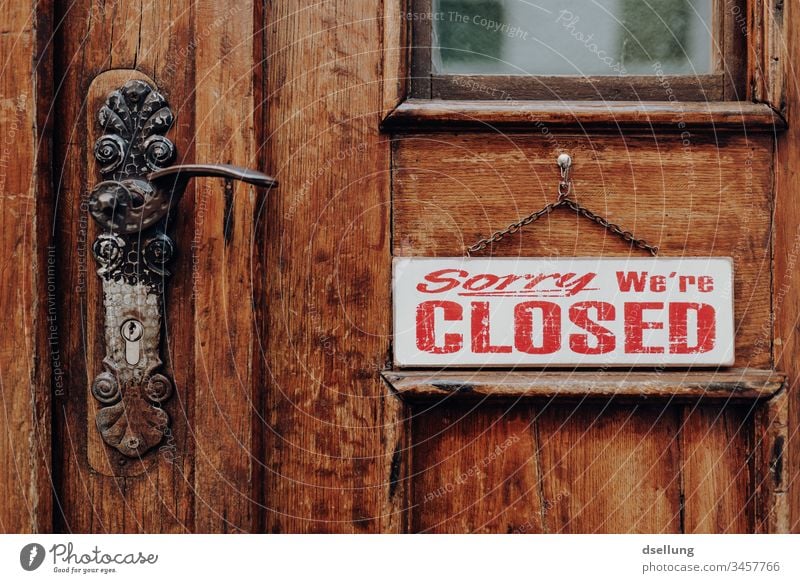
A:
[(287, 414)]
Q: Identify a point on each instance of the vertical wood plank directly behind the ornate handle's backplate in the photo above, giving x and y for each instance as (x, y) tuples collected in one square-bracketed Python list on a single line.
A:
[(151, 37)]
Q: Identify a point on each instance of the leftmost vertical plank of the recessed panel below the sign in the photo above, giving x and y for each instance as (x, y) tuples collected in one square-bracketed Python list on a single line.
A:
[(476, 469)]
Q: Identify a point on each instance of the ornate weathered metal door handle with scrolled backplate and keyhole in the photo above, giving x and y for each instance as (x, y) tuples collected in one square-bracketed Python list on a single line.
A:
[(132, 205)]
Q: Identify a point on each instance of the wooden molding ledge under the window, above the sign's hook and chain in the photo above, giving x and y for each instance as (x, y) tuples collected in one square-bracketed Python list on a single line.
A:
[(715, 116)]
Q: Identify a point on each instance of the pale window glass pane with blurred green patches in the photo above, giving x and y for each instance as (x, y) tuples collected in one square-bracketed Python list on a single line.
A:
[(572, 37)]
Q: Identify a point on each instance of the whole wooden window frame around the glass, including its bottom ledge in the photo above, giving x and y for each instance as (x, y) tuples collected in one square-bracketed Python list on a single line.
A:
[(754, 100)]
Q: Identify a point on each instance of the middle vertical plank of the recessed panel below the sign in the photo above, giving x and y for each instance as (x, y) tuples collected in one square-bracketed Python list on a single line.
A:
[(611, 469)]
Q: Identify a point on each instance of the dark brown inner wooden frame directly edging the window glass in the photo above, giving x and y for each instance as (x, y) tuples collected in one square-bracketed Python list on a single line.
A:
[(725, 83)]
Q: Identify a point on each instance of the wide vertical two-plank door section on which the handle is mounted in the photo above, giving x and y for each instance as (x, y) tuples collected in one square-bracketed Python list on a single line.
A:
[(202, 476)]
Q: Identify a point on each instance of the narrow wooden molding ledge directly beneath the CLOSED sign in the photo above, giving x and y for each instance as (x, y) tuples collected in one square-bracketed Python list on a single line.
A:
[(728, 385)]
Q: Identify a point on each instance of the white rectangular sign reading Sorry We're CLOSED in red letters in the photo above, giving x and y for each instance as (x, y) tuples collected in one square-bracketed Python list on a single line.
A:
[(563, 312)]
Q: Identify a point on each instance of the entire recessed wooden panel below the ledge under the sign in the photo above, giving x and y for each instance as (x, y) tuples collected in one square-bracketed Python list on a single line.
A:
[(582, 468)]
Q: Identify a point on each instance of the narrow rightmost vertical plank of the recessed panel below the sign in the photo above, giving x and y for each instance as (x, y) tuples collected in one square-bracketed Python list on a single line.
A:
[(717, 486)]
